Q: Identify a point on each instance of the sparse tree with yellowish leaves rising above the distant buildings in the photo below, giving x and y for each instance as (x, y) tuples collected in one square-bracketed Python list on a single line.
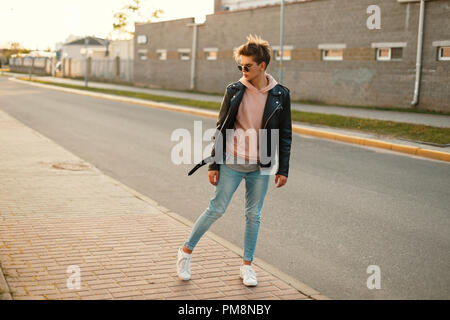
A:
[(124, 20)]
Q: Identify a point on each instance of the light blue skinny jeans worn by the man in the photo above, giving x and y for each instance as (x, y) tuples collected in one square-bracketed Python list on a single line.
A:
[(256, 185)]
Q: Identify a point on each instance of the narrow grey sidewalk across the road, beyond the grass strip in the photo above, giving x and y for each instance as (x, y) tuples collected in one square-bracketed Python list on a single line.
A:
[(408, 117)]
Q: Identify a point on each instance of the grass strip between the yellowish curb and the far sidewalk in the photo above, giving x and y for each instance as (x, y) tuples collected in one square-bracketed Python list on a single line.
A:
[(415, 132)]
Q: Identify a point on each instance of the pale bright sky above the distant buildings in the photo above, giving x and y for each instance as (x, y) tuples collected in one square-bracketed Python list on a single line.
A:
[(39, 24)]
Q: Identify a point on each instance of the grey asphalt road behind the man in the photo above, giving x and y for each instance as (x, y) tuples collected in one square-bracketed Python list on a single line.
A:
[(343, 209)]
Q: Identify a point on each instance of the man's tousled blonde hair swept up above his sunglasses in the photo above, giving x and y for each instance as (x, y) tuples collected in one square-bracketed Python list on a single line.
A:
[(256, 48)]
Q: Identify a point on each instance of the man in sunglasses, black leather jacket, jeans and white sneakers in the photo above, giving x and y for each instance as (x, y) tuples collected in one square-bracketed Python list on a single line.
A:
[(256, 103)]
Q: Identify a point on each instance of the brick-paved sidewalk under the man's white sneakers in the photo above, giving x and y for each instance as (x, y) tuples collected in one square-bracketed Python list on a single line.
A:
[(58, 211)]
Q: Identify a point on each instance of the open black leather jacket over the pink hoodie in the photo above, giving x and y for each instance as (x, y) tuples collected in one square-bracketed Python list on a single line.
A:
[(277, 115)]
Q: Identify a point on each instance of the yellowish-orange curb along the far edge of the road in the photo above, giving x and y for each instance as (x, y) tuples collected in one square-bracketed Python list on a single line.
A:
[(421, 152)]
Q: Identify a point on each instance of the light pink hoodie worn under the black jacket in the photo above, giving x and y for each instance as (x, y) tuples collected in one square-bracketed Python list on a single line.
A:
[(249, 117)]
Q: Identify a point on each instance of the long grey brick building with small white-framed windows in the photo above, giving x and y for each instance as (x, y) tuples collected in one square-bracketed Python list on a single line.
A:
[(330, 54)]
